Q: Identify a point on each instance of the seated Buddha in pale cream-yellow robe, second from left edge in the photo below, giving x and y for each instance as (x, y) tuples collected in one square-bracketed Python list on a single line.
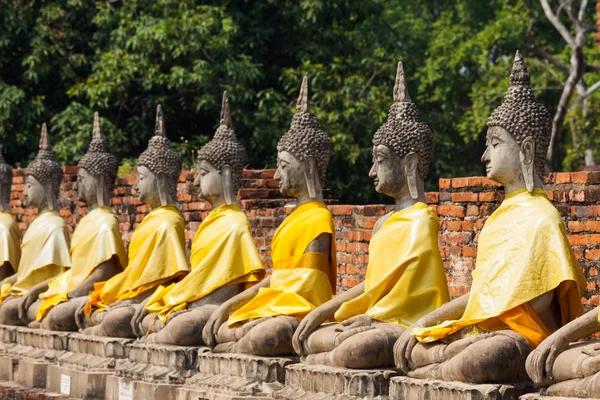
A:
[(45, 245)]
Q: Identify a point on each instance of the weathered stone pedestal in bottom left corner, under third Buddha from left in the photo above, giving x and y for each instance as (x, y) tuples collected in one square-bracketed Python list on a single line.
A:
[(34, 351)]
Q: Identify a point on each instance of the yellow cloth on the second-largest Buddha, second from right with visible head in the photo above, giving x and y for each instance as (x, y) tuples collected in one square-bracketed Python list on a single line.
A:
[(405, 276)]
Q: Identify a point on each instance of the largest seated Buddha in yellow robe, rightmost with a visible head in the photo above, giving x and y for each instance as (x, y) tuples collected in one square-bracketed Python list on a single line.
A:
[(526, 283)]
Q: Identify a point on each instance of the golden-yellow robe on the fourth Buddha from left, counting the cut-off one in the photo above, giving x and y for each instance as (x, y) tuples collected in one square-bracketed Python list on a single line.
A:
[(156, 255)]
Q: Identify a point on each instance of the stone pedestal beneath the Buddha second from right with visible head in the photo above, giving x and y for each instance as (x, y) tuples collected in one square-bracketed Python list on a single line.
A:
[(304, 381)]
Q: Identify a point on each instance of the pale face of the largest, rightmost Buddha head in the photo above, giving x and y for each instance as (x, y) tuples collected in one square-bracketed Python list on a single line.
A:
[(502, 156)]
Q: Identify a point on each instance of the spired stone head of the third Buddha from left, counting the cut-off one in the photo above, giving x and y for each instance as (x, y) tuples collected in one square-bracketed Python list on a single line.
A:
[(97, 170)]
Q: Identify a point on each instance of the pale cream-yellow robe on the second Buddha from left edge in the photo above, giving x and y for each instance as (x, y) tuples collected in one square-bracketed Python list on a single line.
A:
[(44, 252)]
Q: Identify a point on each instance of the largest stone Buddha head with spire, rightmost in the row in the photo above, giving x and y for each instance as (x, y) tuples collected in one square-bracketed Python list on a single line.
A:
[(518, 135)]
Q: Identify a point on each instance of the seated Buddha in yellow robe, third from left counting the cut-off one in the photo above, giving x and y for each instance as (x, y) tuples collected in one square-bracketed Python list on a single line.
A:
[(97, 250)]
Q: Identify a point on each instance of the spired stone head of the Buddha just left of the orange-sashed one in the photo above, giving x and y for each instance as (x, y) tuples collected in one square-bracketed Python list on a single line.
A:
[(221, 162)]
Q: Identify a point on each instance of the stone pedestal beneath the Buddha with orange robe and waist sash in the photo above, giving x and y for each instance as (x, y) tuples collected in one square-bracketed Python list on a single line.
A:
[(235, 376)]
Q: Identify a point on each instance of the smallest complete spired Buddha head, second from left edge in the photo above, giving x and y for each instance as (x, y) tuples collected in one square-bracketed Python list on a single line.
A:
[(43, 177)]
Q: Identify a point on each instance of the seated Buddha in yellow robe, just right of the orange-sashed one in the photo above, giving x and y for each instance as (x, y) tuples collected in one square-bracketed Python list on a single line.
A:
[(405, 278)]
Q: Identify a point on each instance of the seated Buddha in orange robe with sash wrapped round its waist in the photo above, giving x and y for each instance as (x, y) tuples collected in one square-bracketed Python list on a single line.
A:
[(302, 250)]
